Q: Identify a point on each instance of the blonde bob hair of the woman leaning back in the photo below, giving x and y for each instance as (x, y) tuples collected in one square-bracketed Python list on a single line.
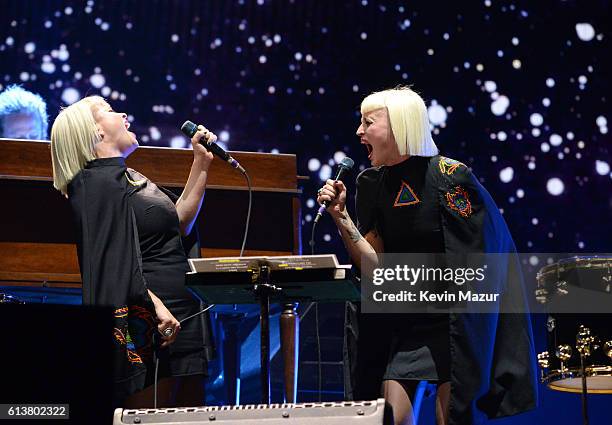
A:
[(73, 137)]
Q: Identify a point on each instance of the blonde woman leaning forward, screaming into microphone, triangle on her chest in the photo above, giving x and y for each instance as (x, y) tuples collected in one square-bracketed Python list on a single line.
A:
[(414, 200)]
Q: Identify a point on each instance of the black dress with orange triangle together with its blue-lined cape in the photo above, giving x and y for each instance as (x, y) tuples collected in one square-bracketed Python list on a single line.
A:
[(437, 205)]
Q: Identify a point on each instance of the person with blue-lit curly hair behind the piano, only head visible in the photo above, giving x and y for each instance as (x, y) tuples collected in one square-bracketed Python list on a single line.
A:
[(23, 114)]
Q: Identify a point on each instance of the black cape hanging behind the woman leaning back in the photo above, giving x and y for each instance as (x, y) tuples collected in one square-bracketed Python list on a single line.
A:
[(111, 269)]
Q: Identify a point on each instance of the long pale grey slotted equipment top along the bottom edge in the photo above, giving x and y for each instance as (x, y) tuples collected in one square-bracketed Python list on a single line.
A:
[(332, 413)]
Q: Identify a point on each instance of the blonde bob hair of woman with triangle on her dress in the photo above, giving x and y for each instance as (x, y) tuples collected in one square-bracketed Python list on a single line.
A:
[(408, 118)]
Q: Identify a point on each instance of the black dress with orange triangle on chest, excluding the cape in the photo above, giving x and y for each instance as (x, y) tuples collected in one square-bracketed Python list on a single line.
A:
[(397, 204)]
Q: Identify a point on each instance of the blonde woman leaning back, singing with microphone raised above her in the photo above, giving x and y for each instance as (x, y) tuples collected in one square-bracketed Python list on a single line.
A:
[(131, 253)]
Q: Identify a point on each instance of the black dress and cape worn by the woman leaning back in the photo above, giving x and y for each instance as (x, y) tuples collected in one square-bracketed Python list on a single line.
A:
[(128, 241)]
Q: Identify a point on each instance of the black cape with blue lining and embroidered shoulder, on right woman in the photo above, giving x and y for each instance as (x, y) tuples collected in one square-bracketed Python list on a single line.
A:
[(492, 355)]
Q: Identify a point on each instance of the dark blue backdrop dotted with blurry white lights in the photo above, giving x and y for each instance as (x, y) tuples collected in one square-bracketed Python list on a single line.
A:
[(516, 90)]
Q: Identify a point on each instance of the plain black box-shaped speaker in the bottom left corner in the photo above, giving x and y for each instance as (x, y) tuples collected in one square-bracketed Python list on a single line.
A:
[(58, 354)]
